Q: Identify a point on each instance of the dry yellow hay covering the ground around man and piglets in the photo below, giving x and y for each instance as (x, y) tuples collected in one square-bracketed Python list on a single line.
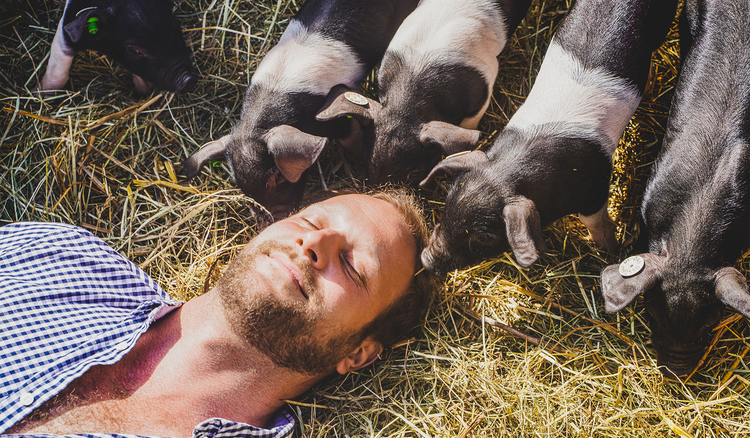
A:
[(105, 159)]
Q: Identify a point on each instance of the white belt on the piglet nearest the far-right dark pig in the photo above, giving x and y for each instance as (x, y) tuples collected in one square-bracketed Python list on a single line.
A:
[(586, 99)]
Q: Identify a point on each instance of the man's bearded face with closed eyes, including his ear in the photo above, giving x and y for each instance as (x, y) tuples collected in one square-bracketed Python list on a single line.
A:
[(304, 290)]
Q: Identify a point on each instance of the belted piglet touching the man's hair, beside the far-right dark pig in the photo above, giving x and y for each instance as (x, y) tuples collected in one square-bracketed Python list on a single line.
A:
[(555, 155)]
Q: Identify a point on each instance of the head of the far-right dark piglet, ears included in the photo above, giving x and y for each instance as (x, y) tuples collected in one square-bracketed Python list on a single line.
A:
[(683, 304)]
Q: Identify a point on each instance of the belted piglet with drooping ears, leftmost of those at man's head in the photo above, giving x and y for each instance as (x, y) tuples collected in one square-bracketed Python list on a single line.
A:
[(327, 43)]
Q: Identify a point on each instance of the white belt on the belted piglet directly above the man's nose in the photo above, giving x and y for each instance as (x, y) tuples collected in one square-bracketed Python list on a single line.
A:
[(308, 62)]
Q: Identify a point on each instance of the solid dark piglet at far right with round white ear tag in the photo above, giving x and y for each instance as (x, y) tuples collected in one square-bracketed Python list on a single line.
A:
[(695, 207)]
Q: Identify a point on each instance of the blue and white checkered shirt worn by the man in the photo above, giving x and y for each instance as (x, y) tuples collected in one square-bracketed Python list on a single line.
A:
[(69, 302)]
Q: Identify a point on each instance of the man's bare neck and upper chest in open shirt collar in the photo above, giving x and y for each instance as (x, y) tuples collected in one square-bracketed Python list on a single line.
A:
[(188, 367)]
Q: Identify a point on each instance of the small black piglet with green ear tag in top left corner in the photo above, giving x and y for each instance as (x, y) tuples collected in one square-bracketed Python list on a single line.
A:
[(142, 35)]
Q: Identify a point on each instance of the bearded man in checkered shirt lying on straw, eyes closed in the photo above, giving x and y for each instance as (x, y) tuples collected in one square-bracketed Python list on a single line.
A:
[(90, 344)]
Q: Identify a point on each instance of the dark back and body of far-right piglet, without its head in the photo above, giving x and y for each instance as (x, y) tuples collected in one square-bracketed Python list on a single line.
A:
[(697, 198)]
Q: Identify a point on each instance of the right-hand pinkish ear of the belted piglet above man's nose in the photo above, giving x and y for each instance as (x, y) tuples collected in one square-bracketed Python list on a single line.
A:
[(293, 150)]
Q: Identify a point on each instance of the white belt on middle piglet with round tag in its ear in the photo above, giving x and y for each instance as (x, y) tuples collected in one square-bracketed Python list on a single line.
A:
[(465, 32)]
